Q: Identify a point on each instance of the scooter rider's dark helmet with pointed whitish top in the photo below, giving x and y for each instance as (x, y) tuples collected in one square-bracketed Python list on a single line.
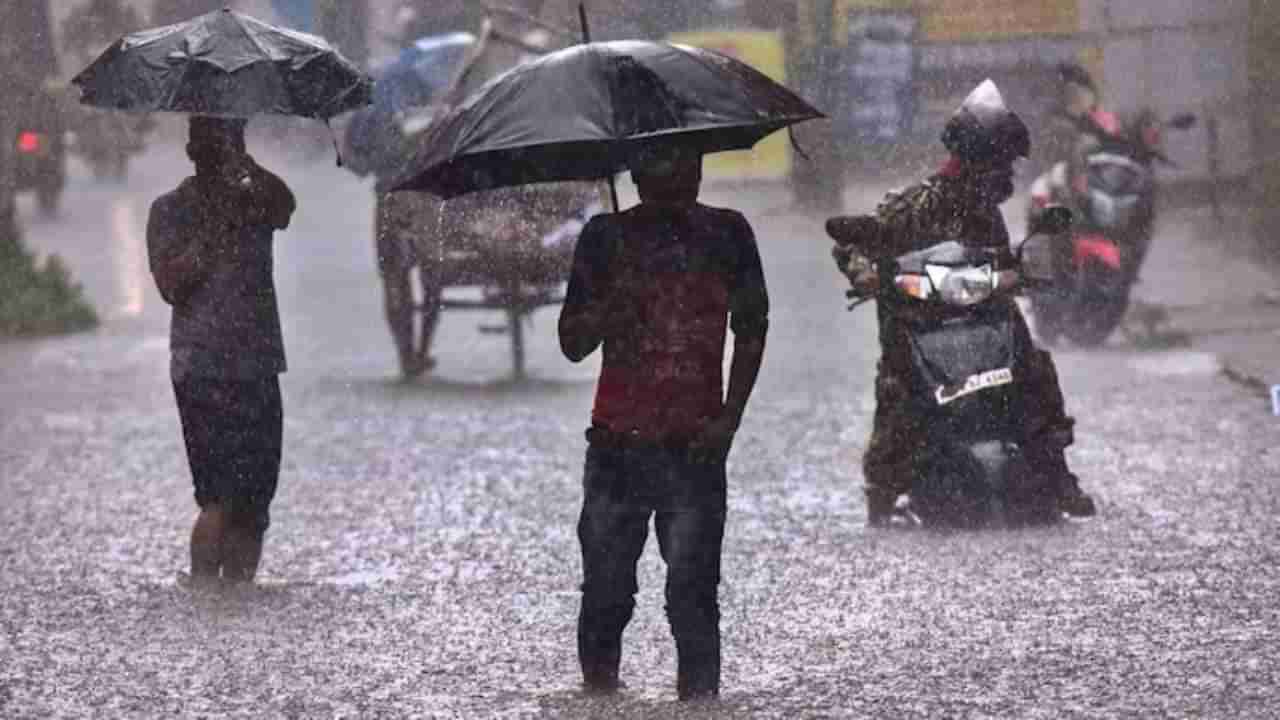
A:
[(985, 129)]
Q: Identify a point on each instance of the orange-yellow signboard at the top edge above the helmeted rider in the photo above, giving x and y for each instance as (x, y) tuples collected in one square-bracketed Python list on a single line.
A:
[(970, 21)]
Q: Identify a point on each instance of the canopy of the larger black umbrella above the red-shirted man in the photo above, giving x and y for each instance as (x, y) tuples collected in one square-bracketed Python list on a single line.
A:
[(584, 112)]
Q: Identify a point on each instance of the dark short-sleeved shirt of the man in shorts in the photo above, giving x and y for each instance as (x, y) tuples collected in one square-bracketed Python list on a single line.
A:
[(228, 326)]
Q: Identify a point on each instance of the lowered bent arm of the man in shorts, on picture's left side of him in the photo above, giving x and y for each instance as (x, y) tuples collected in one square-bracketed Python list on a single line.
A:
[(180, 259)]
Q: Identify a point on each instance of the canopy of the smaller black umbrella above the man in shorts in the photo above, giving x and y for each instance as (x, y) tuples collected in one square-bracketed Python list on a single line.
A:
[(228, 65)]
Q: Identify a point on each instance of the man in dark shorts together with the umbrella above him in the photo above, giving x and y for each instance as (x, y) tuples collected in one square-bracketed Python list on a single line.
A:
[(209, 244)]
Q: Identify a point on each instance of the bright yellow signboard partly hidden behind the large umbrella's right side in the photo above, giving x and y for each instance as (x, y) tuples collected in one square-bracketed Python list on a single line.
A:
[(764, 51)]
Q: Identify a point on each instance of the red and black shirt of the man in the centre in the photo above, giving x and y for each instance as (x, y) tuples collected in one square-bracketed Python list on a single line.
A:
[(692, 275)]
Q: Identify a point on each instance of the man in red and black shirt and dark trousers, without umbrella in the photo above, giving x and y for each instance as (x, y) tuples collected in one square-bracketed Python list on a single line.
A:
[(659, 288)]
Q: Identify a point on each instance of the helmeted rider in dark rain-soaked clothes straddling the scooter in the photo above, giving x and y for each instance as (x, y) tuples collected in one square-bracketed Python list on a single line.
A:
[(961, 203)]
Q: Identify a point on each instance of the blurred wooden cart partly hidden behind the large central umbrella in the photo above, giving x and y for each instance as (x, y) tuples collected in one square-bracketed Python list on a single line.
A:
[(513, 245)]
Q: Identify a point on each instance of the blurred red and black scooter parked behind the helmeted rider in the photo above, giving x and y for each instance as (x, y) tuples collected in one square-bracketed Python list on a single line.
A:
[(1114, 197)]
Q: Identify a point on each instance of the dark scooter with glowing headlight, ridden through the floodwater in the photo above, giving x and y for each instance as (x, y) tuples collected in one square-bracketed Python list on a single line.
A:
[(968, 348)]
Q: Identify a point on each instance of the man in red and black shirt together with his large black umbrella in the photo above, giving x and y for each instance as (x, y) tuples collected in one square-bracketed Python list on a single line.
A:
[(657, 288)]
